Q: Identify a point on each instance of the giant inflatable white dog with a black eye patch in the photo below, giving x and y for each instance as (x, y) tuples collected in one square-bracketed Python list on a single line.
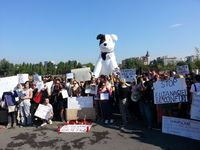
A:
[(106, 63)]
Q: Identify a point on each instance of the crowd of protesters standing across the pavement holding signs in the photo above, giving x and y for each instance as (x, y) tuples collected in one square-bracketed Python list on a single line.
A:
[(133, 100)]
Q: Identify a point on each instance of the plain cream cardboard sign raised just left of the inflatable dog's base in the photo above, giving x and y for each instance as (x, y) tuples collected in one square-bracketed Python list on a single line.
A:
[(82, 74)]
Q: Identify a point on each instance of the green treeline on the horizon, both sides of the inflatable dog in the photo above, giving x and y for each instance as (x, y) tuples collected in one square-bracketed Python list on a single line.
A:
[(9, 69)]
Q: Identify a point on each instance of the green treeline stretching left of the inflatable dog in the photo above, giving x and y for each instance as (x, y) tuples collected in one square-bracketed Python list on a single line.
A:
[(9, 69)]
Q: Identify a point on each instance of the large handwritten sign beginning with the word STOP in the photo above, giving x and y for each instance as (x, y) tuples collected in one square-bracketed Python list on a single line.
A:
[(170, 91)]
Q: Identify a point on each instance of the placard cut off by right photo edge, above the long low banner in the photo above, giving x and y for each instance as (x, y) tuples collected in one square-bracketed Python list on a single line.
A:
[(195, 107)]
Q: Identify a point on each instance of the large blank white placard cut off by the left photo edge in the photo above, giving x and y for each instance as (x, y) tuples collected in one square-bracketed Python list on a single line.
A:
[(8, 84)]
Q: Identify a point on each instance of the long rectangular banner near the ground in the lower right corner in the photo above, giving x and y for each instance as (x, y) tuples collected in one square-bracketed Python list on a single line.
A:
[(182, 127)]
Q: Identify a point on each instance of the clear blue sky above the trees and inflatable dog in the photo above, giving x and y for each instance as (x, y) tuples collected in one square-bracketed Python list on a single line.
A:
[(62, 30)]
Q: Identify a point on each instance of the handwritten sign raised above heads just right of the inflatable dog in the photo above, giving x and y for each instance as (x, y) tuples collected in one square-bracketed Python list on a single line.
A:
[(128, 74)]
